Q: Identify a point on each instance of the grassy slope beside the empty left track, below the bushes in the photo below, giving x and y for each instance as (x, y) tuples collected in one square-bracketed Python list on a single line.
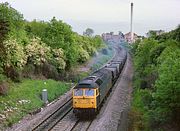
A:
[(25, 97)]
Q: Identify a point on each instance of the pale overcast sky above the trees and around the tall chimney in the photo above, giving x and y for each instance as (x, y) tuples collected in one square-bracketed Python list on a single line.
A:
[(104, 15)]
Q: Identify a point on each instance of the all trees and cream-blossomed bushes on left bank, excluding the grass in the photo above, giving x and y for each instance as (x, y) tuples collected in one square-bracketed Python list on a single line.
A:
[(41, 45)]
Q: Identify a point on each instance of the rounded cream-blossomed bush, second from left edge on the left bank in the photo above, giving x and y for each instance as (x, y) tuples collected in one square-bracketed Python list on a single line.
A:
[(37, 52)]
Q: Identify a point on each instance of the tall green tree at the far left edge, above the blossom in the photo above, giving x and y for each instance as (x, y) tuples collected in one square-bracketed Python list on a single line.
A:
[(11, 24)]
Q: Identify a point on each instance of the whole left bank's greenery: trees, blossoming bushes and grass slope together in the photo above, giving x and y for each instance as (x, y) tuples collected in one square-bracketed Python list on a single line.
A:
[(32, 52)]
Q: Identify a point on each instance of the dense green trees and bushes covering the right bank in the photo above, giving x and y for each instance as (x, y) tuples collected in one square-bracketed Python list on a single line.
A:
[(157, 62)]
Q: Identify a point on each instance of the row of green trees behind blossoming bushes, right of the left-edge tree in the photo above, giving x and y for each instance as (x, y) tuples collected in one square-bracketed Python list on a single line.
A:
[(58, 34)]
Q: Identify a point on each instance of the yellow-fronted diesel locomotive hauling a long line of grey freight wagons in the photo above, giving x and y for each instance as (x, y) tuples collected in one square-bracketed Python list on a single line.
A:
[(89, 93)]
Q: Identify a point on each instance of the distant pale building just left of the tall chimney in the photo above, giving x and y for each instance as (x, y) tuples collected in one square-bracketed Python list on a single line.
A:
[(110, 37)]
